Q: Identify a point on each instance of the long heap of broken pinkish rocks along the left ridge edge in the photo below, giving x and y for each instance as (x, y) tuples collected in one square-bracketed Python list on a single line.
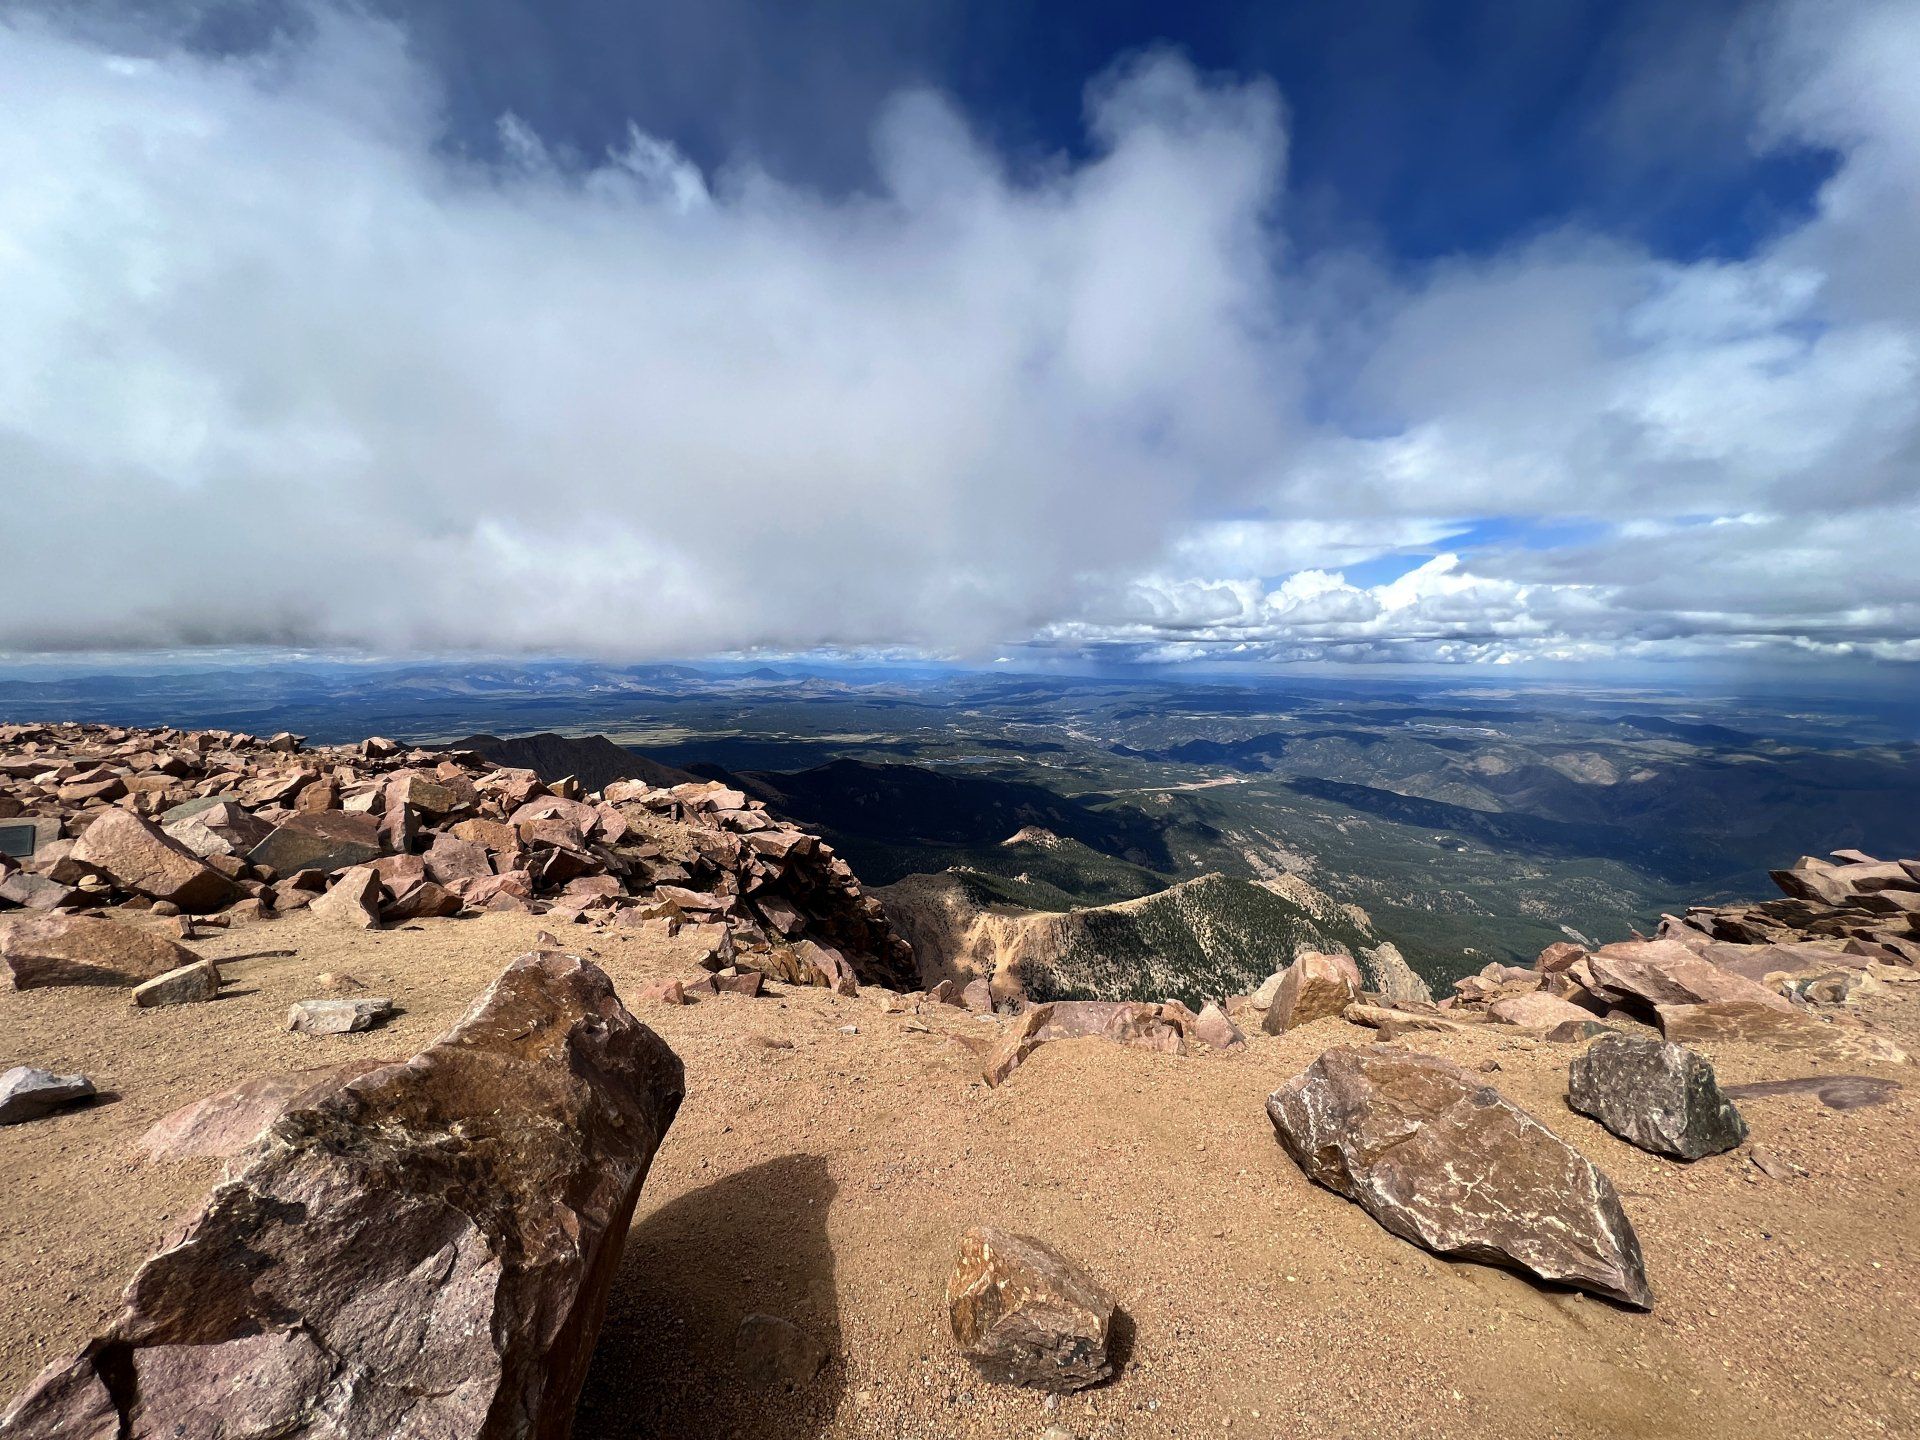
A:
[(226, 825)]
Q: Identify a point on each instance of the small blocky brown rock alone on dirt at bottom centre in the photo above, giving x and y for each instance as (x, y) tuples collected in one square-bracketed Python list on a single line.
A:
[(1026, 1314)]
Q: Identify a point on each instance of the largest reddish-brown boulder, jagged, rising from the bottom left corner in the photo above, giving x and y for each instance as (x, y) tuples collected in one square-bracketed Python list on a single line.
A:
[(421, 1253)]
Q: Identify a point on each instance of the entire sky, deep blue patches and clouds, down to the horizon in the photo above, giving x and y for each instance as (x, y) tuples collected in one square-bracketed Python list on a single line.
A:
[(1543, 333)]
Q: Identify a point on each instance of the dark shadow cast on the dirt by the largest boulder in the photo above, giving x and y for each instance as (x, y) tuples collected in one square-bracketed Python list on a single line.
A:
[(754, 1243)]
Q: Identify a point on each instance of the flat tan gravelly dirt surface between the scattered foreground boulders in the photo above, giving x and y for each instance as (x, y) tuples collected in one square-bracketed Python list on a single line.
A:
[(828, 1184)]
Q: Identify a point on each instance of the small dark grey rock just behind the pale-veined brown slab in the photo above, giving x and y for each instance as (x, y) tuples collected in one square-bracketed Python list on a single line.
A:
[(1660, 1097)]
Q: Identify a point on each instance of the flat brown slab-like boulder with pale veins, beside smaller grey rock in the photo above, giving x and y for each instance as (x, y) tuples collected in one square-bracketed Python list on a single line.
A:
[(1451, 1164)]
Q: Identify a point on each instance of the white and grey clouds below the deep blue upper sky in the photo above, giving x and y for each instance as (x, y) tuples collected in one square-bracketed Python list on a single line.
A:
[(281, 370)]
